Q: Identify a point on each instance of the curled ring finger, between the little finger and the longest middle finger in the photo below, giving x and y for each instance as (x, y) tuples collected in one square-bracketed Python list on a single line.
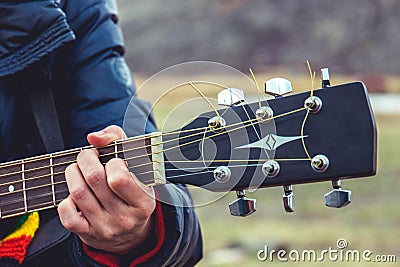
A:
[(80, 192)]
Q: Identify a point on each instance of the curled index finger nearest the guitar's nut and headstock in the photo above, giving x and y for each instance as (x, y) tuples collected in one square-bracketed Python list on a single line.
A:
[(125, 184)]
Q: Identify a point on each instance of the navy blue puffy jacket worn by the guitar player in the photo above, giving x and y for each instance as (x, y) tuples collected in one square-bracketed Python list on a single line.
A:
[(77, 47)]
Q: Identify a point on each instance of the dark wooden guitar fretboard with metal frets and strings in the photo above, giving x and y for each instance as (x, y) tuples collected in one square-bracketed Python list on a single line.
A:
[(39, 183)]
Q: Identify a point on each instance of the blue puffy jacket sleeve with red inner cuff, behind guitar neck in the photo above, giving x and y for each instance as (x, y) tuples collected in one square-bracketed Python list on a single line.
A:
[(92, 88)]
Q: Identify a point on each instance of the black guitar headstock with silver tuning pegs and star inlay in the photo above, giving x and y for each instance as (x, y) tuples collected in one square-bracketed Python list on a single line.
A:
[(327, 134)]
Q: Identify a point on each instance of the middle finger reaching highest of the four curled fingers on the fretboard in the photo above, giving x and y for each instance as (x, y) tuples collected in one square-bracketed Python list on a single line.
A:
[(95, 176)]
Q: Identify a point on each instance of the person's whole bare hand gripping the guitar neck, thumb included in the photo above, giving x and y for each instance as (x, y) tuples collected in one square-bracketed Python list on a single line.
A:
[(108, 208)]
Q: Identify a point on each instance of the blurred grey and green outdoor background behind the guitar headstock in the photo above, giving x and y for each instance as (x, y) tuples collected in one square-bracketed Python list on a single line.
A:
[(356, 39)]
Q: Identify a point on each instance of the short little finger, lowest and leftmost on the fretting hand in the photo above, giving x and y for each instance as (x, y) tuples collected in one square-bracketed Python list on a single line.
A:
[(71, 218)]
